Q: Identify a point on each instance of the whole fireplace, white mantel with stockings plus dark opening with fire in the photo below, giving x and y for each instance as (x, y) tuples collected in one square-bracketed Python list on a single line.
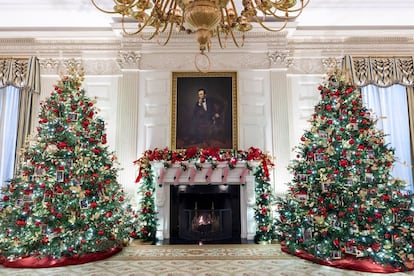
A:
[(184, 193)]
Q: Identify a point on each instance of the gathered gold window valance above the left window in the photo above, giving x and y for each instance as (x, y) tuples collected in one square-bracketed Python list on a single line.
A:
[(20, 73)]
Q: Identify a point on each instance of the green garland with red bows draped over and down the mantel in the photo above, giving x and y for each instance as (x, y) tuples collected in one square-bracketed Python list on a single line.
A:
[(264, 196)]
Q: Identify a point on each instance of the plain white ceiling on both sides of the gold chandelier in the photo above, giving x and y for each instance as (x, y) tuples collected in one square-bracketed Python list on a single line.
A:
[(320, 13)]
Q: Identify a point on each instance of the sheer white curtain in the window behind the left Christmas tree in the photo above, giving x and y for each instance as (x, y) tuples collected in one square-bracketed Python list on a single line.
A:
[(9, 117)]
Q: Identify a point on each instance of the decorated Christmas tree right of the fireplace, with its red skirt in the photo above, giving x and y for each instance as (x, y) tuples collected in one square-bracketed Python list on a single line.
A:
[(344, 208)]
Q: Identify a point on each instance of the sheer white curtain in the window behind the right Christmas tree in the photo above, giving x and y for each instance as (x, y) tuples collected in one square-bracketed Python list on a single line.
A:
[(391, 103)]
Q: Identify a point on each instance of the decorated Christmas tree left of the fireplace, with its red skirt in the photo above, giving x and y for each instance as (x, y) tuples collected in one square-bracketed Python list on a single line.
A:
[(64, 206)]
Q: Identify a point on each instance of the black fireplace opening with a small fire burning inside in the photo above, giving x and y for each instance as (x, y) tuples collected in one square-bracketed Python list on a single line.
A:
[(205, 214)]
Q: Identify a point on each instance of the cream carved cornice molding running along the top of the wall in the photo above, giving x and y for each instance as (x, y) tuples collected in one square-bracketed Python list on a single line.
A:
[(300, 54)]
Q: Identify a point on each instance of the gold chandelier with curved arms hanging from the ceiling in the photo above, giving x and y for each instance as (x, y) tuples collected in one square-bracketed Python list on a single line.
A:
[(205, 18)]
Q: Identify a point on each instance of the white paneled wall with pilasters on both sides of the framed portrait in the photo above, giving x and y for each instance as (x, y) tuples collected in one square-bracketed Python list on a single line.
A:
[(273, 107)]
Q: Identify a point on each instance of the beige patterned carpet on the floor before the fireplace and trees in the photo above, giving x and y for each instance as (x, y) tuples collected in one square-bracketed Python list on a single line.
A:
[(186, 260)]
